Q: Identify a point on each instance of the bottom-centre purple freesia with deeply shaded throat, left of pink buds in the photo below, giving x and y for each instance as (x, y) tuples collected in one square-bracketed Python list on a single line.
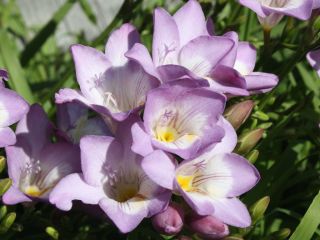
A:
[(113, 178)]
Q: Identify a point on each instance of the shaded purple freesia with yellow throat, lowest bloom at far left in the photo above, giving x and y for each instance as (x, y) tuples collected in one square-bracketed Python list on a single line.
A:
[(35, 165)]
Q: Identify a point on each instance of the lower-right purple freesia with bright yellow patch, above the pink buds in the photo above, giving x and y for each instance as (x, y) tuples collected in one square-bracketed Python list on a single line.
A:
[(210, 183)]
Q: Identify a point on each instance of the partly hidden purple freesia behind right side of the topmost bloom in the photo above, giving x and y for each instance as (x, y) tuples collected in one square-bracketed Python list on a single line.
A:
[(238, 67)]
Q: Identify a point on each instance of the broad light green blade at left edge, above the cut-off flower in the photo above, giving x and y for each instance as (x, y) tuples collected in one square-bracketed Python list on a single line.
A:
[(9, 56)]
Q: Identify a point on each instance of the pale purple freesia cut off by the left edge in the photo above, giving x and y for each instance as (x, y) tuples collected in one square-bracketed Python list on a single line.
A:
[(12, 108)]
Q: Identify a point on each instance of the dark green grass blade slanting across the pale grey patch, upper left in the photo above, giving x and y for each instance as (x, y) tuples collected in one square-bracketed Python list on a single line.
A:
[(36, 43)]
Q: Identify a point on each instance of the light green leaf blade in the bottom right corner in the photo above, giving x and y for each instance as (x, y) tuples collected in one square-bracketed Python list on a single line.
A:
[(309, 223)]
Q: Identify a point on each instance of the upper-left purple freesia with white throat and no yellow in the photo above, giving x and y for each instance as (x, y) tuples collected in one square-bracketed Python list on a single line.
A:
[(110, 84)]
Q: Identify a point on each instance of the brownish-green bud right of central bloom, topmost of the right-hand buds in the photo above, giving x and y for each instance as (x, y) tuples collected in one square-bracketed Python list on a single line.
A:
[(238, 113)]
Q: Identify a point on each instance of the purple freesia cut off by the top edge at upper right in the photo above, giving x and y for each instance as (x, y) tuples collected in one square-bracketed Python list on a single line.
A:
[(270, 12)]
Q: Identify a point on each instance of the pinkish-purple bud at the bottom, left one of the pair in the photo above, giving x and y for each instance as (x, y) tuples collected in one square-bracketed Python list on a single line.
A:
[(170, 221)]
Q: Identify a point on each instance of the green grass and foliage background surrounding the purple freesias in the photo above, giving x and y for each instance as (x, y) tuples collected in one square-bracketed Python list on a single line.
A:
[(34, 40)]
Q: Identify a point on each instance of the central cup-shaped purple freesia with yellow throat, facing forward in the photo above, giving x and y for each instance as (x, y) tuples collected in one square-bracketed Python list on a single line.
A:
[(180, 120)]
